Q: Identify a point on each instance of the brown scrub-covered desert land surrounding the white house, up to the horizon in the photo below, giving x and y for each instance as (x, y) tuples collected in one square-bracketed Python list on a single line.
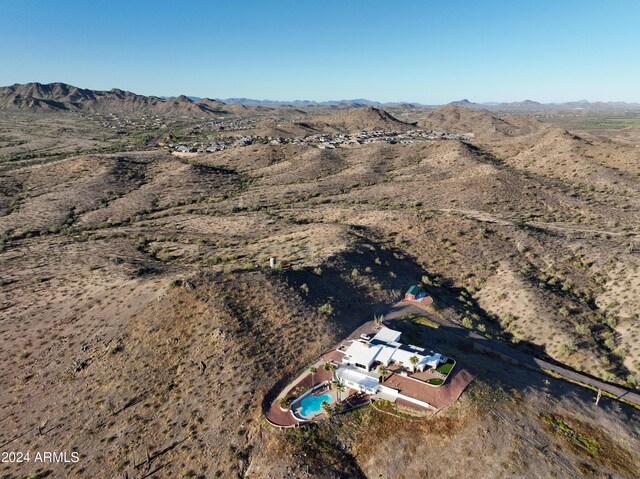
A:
[(170, 265)]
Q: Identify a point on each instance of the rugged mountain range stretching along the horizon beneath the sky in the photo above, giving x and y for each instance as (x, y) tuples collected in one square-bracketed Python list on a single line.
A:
[(64, 97)]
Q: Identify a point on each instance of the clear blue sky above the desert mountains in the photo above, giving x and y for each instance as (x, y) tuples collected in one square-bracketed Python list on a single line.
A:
[(422, 50)]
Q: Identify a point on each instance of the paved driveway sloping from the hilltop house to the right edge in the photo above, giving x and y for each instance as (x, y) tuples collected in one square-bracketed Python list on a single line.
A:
[(402, 308)]
